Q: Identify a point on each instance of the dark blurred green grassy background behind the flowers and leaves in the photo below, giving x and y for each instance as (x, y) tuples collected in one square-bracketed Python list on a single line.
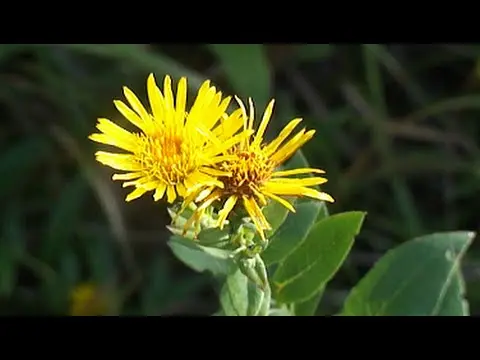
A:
[(397, 132)]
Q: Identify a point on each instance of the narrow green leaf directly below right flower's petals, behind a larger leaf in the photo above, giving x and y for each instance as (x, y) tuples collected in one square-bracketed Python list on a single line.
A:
[(292, 233)]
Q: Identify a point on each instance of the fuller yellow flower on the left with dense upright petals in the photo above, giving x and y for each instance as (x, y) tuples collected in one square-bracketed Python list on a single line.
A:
[(169, 154)]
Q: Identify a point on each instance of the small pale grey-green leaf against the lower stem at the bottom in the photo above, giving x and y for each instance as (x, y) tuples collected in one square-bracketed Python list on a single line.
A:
[(240, 296)]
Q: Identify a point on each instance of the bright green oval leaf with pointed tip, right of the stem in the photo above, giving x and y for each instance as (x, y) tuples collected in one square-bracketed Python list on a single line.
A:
[(305, 271)]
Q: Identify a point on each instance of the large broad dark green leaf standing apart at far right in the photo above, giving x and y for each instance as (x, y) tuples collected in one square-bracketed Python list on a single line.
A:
[(419, 277)]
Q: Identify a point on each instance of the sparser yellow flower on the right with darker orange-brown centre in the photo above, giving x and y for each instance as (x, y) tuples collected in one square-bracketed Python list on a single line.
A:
[(254, 172)]
